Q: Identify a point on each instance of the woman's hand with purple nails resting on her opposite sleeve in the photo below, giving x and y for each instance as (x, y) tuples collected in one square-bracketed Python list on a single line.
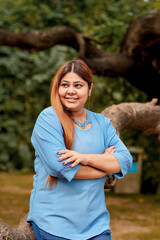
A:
[(73, 156)]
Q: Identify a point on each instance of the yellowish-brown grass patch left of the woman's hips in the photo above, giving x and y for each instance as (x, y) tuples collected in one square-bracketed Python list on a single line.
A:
[(15, 191)]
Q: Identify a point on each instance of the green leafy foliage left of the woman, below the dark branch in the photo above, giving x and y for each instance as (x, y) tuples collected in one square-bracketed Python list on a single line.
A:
[(23, 94)]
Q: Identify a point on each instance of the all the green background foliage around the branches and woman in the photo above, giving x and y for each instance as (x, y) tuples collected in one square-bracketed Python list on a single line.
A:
[(25, 77)]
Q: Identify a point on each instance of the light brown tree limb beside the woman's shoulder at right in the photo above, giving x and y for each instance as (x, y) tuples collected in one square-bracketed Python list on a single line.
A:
[(136, 116)]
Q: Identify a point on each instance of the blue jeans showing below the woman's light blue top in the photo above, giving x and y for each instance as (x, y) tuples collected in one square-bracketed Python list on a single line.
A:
[(42, 235)]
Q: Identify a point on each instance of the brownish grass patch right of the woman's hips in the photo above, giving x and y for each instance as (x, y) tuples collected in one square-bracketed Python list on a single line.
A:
[(134, 216)]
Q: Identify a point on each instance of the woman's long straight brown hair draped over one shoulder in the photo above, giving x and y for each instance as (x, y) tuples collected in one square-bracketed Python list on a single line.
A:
[(80, 68)]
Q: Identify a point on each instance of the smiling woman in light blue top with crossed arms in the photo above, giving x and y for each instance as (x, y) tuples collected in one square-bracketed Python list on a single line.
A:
[(74, 150)]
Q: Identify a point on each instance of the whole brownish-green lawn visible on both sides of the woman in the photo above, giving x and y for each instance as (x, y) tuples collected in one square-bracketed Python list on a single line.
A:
[(133, 217)]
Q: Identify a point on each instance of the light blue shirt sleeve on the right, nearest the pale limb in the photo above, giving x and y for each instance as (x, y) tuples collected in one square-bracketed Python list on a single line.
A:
[(122, 154)]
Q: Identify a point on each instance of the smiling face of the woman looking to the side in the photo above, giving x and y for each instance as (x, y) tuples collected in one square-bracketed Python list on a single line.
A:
[(73, 92)]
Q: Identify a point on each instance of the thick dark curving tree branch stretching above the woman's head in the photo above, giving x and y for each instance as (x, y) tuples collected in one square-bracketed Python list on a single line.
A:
[(138, 59)]
